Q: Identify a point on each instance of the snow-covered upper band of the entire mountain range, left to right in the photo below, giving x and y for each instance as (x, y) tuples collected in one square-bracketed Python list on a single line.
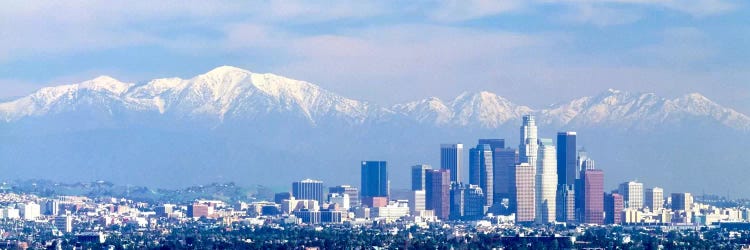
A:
[(227, 93)]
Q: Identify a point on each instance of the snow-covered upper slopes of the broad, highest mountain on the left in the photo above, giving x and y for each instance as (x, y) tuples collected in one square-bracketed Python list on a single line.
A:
[(225, 92)]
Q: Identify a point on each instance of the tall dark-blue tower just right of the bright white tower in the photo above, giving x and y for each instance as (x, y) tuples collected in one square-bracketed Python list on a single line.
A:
[(566, 158)]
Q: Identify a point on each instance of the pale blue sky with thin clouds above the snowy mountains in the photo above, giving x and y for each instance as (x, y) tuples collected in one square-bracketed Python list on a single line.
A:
[(533, 52)]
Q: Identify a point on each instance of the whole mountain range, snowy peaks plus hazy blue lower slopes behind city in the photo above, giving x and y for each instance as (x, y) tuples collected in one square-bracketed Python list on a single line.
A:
[(233, 124)]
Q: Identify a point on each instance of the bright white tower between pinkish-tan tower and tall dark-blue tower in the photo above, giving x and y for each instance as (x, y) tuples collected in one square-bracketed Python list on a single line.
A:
[(546, 182)]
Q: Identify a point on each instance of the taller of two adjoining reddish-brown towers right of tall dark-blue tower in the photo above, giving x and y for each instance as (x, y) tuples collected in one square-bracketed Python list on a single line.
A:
[(593, 196)]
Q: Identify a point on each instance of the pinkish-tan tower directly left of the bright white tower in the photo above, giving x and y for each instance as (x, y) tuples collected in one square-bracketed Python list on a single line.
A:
[(524, 192)]
